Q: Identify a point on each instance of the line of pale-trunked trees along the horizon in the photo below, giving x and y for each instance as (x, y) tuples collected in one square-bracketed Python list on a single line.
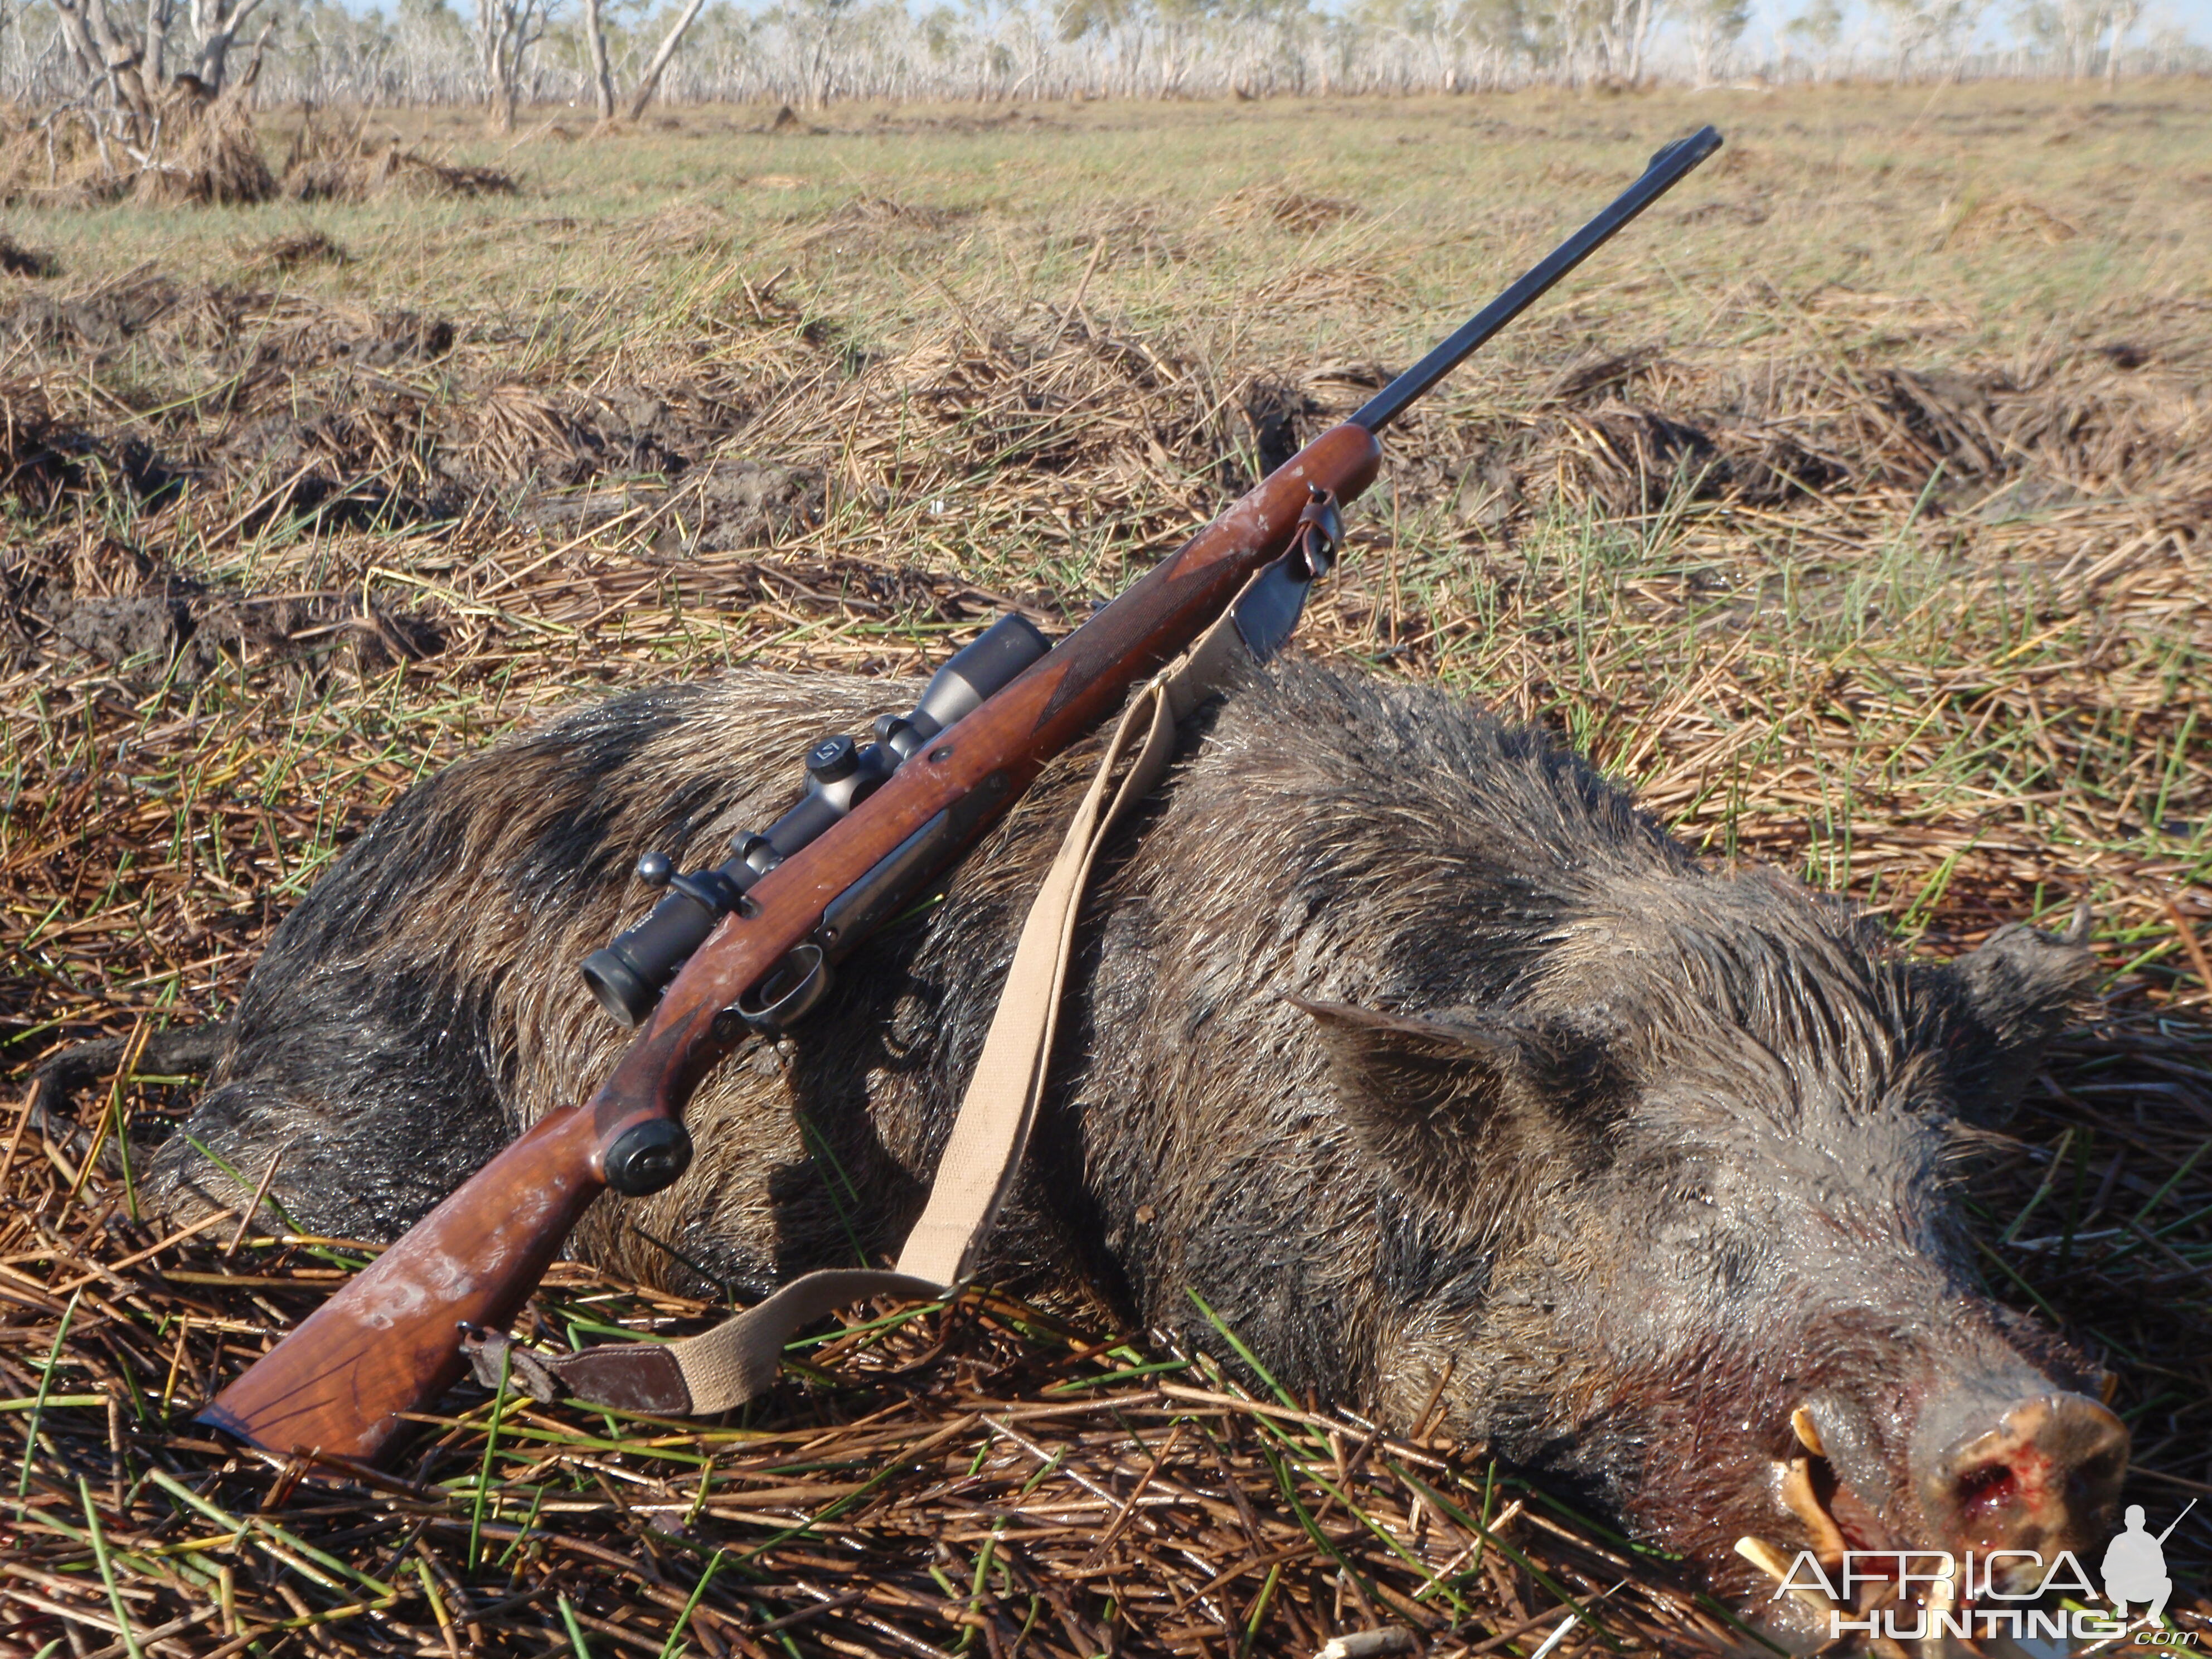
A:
[(612, 59)]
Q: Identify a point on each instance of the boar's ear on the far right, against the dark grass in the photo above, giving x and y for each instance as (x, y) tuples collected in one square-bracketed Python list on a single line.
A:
[(2021, 988)]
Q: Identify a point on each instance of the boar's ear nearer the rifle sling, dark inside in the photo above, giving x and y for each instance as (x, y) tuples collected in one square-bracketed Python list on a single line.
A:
[(1417, 1092)]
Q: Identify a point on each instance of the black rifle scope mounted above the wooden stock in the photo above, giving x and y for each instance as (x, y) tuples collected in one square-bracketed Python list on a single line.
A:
[(629, 974)]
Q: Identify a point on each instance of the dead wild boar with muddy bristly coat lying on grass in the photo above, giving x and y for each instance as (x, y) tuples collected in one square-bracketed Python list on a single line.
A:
[(1399, 1034)]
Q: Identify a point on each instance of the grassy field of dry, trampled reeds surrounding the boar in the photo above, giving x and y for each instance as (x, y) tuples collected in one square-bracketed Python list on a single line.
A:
[(1853, 508)]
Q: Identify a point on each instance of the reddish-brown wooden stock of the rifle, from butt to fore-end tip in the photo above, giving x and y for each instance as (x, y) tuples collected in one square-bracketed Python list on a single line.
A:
[(390, 1339)]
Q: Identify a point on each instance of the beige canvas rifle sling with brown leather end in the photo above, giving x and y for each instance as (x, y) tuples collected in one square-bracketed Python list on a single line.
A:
[(742, 1357)]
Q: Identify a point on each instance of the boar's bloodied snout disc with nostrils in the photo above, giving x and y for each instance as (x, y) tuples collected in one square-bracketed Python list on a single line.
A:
[(2010, 1463)]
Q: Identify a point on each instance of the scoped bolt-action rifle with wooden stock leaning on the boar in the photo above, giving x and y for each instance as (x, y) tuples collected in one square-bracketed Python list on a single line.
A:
[(751, 946)]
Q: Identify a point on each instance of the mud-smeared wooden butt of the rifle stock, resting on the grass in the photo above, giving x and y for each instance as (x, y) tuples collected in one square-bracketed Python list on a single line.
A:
[(390, 1339)]
